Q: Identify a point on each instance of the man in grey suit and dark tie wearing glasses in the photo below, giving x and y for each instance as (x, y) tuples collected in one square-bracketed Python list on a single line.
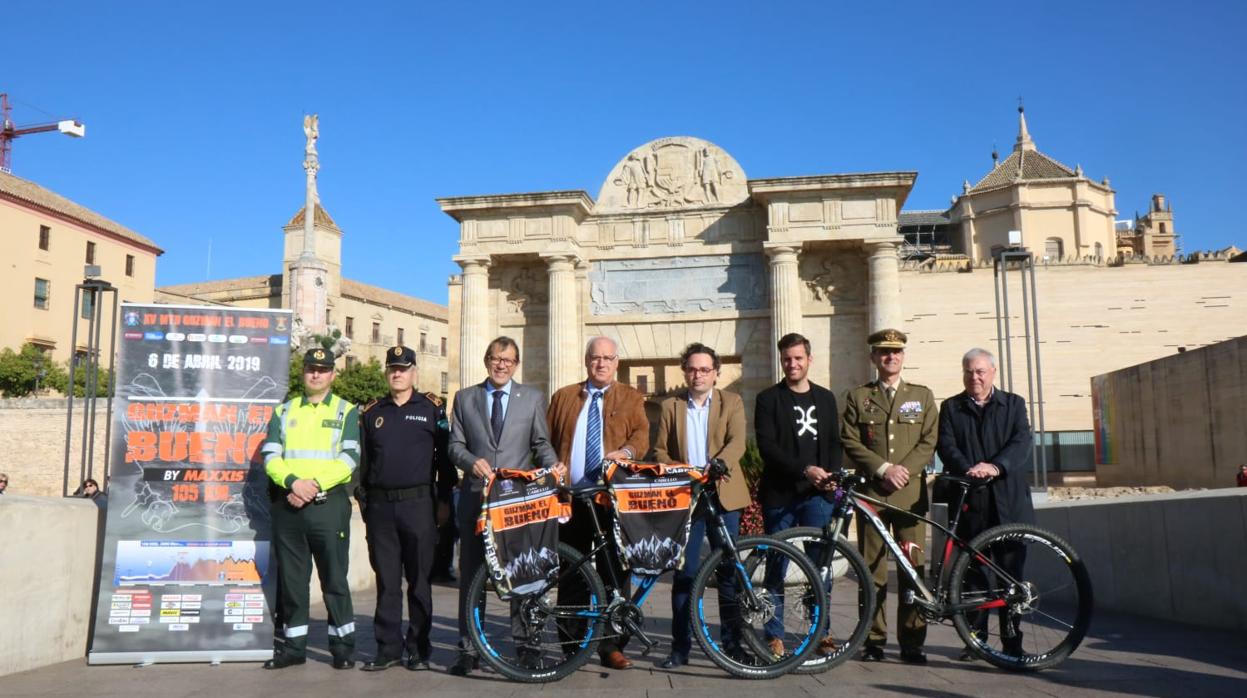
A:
[(494, 424)]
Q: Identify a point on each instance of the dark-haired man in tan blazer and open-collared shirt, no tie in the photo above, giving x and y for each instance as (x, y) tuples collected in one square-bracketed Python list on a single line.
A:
[(701, 423)]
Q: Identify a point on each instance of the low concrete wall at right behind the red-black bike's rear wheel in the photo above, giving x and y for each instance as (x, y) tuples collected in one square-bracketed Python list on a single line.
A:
[(1177, 558)]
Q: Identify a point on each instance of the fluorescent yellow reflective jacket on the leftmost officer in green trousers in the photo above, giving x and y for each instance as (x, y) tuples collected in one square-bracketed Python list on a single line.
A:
[(312, 441)]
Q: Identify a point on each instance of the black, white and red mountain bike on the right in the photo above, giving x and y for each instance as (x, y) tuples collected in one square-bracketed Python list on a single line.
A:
[(1031, 579)]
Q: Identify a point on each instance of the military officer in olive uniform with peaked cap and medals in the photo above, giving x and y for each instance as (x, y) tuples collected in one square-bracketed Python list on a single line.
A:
[(890, 433)]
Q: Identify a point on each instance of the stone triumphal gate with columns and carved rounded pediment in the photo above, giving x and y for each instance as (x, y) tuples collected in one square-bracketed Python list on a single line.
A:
[(679, 247)]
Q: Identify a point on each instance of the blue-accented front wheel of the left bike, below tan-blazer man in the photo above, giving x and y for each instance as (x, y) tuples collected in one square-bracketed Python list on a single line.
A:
[(759, 629)]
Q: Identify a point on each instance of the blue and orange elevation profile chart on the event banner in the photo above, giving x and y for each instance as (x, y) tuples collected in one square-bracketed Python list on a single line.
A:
[(196, 563)]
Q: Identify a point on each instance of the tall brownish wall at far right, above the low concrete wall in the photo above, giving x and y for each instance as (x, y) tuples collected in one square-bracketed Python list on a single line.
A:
[(1175, 422)]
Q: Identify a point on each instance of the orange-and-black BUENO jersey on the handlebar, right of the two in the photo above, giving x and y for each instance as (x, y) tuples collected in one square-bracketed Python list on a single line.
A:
[(653, 513)]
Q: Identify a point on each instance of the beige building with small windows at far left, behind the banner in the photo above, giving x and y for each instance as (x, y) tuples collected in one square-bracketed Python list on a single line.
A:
[(49, 241)]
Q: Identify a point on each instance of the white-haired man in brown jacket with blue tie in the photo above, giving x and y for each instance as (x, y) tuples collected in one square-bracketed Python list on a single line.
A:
[(590, 422)]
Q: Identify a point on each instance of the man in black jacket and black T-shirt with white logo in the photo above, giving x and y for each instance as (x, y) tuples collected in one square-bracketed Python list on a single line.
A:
[(797, 427)]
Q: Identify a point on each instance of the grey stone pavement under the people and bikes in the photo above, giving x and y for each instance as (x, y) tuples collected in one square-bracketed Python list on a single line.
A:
[(1122, 656)]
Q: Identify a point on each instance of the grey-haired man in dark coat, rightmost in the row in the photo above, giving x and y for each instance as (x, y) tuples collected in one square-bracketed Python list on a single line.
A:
[(985, 434)]
